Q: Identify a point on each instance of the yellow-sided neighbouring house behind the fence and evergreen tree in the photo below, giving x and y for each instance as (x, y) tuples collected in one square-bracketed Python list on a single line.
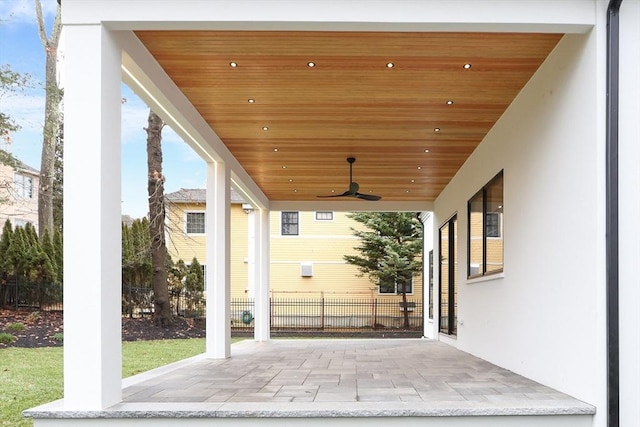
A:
[(307, 250)]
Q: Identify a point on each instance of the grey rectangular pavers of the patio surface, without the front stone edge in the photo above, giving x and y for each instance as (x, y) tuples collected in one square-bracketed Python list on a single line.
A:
[(339, 370)]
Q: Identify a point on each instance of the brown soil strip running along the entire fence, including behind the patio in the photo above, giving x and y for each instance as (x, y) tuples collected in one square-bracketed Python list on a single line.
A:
[(45, 329)]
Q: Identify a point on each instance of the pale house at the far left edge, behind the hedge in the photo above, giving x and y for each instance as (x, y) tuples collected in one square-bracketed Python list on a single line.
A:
[(19, 194)]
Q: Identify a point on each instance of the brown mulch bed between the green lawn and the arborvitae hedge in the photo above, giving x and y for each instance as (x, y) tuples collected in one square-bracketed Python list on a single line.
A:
[(41, 327)]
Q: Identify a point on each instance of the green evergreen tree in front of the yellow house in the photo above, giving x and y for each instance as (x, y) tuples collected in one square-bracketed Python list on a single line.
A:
[(390, 249)]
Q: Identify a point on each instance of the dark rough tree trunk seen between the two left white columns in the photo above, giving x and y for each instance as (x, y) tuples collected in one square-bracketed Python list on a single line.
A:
[(155, 187)]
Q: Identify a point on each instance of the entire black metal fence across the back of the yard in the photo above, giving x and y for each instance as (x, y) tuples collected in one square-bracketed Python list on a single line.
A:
[(286, 314)]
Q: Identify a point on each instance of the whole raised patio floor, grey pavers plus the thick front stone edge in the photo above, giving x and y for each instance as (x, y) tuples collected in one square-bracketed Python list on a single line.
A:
[(333, 378)]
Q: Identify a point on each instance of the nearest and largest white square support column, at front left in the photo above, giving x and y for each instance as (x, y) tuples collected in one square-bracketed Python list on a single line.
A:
[(92, 230)]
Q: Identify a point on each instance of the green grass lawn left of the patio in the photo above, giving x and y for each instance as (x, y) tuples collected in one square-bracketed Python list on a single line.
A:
[(31, 377)]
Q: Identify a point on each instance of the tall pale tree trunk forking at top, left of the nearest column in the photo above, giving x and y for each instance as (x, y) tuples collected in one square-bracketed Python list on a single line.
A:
[(51, 120)]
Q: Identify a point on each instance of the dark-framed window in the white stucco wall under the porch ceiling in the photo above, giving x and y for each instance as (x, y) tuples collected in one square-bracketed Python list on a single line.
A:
[(486, 242)]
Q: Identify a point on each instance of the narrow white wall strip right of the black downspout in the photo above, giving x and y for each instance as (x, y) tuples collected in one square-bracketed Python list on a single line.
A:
[(629, 175)]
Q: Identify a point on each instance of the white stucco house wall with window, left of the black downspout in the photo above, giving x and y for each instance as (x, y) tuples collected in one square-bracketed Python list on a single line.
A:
[(545, 317)]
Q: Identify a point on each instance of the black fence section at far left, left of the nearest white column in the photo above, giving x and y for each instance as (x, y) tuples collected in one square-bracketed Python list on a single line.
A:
[(16, 294)]
